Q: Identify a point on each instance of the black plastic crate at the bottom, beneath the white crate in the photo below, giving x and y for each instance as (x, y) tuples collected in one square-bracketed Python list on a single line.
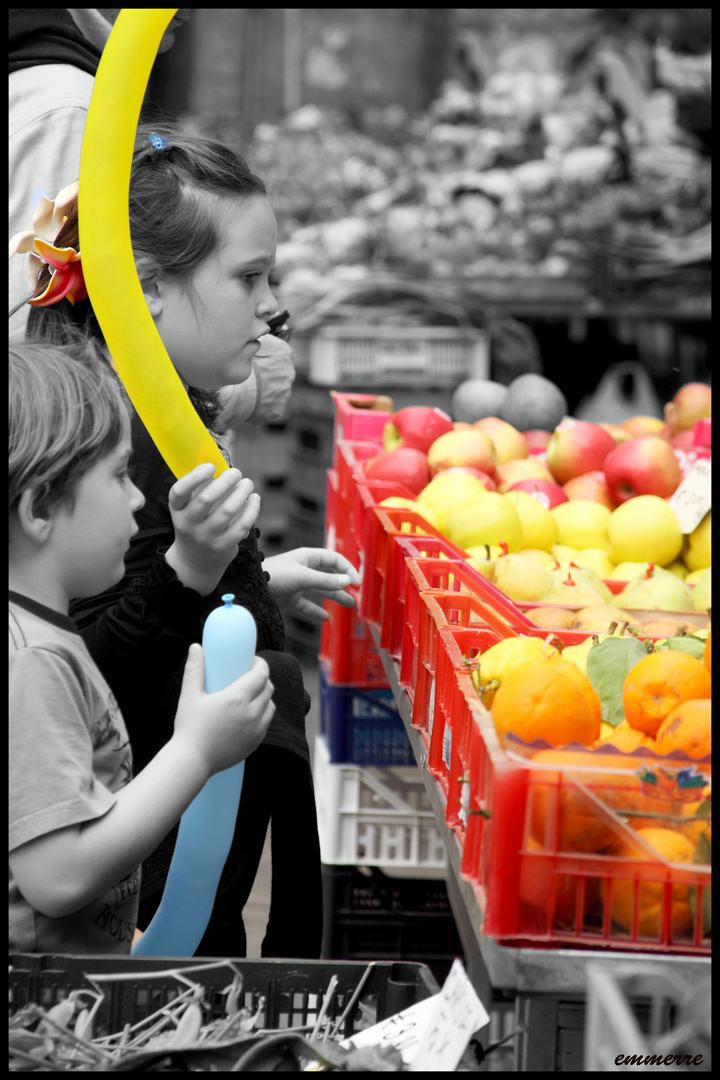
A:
[(369, 914)]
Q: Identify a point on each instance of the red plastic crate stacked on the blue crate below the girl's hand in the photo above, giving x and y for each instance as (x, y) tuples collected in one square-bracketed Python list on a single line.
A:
[(348, 649)]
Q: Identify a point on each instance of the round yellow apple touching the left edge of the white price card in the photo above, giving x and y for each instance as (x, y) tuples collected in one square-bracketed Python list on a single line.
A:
[(643, 529)]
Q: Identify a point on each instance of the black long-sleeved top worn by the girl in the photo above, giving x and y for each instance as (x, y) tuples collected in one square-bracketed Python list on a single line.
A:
[(140, 631)]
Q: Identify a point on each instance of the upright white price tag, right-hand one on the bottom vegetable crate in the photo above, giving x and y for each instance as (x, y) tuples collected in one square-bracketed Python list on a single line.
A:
[(458, 1015)]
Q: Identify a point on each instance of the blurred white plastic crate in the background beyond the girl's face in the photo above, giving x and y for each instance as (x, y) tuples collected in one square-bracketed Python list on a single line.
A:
[(368, 356)]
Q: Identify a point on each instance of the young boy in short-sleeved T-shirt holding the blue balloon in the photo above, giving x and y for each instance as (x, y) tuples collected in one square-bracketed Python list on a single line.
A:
[(80, 826)]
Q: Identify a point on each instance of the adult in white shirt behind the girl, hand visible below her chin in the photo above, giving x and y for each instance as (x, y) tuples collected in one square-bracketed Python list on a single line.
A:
[(55, 53)]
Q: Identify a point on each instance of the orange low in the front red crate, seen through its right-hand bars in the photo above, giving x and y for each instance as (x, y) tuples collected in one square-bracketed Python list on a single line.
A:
[(674, 848)]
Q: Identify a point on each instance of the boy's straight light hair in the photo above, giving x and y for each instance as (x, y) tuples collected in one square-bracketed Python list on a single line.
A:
[(67, 411)]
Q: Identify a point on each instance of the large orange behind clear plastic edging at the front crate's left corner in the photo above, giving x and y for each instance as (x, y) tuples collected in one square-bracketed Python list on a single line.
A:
[(580, 825)]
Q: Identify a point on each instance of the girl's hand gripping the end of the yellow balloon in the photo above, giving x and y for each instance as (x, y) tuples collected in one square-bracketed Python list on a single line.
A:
[(211, 518)]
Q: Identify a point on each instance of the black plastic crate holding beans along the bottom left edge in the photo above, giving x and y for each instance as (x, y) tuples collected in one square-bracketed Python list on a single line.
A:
[(290, 992)]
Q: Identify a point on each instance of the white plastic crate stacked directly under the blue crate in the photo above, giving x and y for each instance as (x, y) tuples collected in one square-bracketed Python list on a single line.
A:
[(375, 817)]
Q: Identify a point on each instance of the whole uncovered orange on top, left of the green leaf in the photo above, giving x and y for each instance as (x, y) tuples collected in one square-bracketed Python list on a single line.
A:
[(548, 699)]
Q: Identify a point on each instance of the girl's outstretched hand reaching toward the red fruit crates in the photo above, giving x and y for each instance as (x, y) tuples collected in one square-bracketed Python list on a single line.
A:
[(300, 579)]
